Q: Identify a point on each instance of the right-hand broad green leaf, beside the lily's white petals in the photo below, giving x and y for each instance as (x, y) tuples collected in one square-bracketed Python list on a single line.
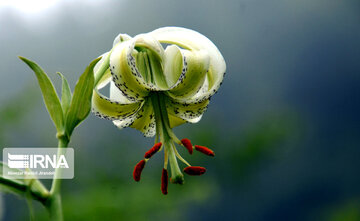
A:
[(81, 101)]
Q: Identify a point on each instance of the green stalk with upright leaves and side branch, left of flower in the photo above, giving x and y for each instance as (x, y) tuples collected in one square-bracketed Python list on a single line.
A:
[(66, 115)]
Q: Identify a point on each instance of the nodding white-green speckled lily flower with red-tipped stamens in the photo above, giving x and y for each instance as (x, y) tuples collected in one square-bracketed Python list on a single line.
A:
[(153, 90)]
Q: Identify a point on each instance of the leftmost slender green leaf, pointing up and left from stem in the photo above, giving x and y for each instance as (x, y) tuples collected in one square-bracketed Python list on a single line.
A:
[(49, 94)]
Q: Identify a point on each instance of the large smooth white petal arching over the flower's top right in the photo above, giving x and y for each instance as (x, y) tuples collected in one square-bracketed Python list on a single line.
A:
[(192, 40)]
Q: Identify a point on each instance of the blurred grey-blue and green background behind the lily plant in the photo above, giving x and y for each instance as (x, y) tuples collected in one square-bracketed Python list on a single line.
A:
[(285, 125)]
